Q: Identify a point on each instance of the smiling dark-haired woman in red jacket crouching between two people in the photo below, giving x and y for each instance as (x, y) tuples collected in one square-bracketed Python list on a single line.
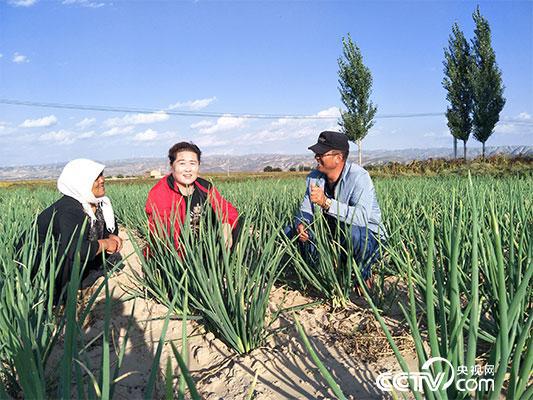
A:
[(182, 190)]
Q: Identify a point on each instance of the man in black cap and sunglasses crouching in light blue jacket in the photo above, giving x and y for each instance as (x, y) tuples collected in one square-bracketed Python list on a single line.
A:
[(344, 193)]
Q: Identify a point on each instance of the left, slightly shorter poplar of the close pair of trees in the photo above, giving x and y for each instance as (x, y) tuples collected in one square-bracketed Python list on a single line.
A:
[(457, 67)]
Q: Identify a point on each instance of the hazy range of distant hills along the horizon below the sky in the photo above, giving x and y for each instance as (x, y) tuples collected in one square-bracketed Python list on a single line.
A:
[(254, 162)]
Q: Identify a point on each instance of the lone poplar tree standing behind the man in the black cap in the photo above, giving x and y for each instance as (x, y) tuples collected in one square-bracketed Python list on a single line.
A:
[(355, 87)]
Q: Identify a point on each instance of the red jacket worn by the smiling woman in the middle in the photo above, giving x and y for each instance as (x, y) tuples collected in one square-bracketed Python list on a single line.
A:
[(165, 202)]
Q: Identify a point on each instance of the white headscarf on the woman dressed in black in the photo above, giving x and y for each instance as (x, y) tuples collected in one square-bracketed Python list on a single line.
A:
[(76, 181)]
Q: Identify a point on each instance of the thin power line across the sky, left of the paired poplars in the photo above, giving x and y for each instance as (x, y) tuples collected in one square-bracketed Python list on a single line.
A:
[(138, 110)]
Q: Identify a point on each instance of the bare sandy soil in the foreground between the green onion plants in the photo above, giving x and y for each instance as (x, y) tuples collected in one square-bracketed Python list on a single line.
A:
[(283, 367)]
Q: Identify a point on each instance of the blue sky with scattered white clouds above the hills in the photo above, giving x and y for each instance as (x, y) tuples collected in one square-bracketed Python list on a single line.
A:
[(237, 58)]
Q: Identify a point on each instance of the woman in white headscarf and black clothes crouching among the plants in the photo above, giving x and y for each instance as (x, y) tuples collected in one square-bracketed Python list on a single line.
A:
[(84, 211)]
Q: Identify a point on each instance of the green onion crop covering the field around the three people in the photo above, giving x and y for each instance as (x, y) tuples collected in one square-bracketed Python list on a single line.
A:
[(462, 247)]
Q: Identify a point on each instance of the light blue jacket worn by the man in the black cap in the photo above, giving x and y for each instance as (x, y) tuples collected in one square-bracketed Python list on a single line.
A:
[(355, 201)]
